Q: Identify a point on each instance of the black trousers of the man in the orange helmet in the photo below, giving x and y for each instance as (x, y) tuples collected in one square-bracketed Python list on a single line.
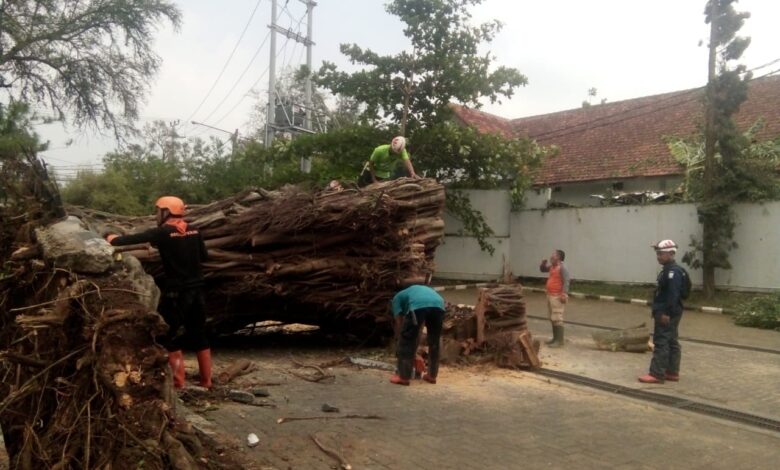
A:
[(184, 310)]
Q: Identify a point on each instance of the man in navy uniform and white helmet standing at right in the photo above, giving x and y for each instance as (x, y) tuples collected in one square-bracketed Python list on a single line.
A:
[(667, 312)]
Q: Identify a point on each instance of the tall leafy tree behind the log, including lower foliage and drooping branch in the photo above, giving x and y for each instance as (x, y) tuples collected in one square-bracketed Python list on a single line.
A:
[(412, 90)]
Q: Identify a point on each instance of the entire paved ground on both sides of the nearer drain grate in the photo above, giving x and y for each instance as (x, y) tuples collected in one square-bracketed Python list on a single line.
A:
[(487, 418)]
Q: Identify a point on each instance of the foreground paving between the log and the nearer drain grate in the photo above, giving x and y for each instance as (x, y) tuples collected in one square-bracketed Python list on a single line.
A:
[(481, 418)]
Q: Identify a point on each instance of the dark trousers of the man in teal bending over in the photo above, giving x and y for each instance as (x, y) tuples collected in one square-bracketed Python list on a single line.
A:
[(432, 318)]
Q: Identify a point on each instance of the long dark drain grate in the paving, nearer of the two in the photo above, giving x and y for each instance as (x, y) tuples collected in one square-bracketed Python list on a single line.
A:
[(667, 400)]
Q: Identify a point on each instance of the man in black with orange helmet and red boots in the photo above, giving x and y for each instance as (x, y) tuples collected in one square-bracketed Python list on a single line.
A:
[(182, 251)]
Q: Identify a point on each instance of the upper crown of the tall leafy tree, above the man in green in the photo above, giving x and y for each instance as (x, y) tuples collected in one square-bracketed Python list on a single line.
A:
[(444, 65)]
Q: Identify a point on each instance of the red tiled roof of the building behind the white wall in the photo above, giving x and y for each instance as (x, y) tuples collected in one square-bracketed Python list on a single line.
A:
[(625, 139)]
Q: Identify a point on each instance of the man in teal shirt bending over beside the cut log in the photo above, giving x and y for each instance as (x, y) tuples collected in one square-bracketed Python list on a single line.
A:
[(412, 307)]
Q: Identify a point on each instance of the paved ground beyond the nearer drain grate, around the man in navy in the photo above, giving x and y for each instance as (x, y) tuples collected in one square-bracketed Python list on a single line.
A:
[(739, 379)]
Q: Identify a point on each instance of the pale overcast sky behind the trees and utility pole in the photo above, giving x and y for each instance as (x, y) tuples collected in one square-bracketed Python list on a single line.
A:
[(623, 48)]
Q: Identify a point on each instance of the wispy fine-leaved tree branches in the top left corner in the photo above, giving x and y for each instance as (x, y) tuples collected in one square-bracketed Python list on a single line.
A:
[(88, 60)]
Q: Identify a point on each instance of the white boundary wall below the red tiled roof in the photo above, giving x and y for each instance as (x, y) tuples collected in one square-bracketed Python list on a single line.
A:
[(609, 244)]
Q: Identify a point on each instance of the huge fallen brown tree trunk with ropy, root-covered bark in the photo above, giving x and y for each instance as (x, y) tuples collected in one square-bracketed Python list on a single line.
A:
[(323, 258)]
